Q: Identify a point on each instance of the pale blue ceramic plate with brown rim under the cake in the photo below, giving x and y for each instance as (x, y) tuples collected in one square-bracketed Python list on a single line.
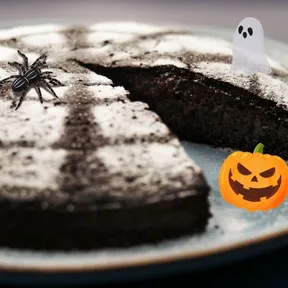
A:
[(232, 233)]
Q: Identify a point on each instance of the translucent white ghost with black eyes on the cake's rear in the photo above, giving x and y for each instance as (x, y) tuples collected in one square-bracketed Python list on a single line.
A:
[(248, 48)]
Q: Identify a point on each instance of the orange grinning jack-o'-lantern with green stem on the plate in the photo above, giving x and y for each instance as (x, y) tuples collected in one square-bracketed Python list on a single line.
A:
[(254, 181)]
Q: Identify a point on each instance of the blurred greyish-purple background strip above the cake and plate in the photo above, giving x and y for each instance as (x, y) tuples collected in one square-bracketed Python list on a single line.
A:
[(224, 13)]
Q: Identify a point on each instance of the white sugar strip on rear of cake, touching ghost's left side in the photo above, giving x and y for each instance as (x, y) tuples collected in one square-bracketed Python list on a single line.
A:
[(199, 44)]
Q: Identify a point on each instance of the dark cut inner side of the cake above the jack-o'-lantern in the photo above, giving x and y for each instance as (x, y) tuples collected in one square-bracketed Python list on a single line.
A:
[(209, 115)]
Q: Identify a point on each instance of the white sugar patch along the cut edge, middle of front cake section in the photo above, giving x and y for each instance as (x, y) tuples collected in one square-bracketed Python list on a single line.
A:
[(128, 120)]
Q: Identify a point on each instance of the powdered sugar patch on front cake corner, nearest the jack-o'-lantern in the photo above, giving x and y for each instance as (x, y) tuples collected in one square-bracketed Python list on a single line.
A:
[(150, 166)]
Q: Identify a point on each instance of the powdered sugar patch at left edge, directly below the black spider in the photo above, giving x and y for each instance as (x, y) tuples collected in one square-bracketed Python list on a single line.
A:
[(32, 123)]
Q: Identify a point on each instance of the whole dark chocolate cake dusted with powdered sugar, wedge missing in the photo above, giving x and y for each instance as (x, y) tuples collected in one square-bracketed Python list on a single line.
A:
[(102, 166)]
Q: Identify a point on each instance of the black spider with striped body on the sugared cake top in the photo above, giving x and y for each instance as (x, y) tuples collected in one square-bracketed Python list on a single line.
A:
[(31, 76)]
